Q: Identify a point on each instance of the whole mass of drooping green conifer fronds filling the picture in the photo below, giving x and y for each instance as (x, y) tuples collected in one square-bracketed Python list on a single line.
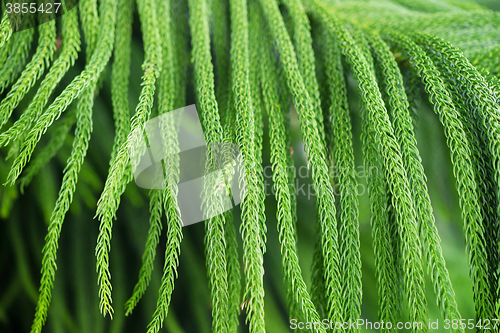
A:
[(357, 74)]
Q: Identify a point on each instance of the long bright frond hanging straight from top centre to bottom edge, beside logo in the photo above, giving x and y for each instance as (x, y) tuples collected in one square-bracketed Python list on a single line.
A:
[(252, 227)]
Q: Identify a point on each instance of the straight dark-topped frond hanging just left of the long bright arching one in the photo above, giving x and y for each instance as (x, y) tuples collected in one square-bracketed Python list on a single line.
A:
[(342, 155)]
